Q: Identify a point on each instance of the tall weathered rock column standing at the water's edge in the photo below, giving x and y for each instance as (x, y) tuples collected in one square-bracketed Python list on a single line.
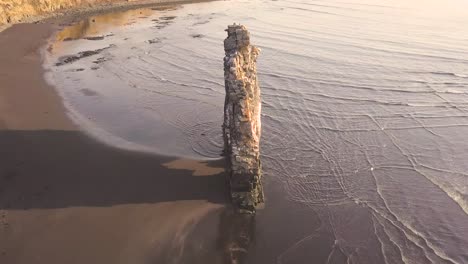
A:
[(242, 124)]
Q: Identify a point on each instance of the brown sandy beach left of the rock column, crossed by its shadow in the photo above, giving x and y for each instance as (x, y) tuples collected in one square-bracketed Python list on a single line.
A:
[(66, 198)]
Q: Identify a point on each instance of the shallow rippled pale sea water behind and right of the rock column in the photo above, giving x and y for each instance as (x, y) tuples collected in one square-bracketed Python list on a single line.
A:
[(365, 114)]
